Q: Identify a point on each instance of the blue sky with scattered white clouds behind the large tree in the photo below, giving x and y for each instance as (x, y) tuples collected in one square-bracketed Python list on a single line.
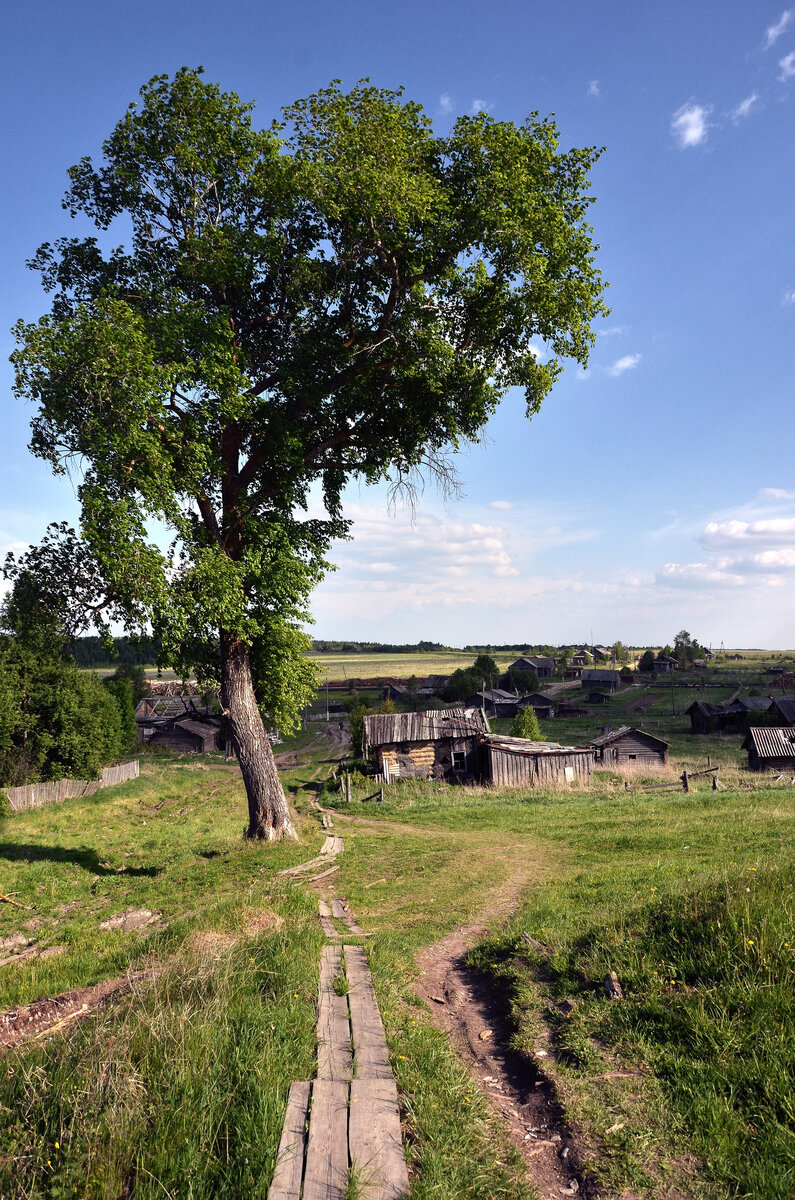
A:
[(654, 493)]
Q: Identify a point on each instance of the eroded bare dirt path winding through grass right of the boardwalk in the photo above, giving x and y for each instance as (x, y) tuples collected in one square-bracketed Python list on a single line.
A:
[(475, 1017)]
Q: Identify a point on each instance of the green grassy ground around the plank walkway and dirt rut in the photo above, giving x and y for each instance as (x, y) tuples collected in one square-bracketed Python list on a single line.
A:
[(178, 1088)]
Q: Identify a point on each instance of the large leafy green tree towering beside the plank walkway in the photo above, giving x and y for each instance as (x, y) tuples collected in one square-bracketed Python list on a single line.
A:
[(343, 295)]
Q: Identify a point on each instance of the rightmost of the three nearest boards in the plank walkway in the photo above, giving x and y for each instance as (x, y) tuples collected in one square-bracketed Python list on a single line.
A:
[(374, 1137)]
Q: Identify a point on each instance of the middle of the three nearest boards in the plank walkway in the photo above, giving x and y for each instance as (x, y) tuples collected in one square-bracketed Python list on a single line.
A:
[(327, 1151)]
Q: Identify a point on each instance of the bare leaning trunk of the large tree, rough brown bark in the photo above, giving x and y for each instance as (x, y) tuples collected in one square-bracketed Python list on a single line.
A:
[(268, 812)]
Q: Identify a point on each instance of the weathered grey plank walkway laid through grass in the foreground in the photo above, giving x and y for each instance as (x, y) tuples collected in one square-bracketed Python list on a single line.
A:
[(345, 1125)]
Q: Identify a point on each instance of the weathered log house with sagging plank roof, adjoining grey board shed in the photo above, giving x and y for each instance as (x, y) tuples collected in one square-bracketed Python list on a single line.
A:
[(443, 745)]
